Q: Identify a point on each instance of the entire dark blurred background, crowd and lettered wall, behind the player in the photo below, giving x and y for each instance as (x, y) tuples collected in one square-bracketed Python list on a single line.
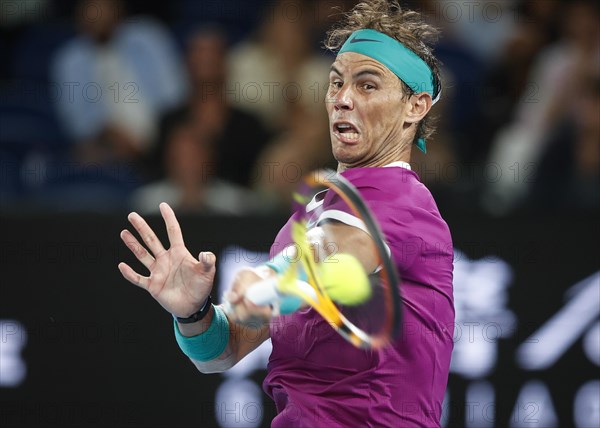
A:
[(217, 107)]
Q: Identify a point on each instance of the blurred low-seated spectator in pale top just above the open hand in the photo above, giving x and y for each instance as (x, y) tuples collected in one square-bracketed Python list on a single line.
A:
[(190, 184)]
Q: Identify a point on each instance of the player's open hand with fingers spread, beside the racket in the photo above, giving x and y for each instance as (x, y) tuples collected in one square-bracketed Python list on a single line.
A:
[(178, 281)]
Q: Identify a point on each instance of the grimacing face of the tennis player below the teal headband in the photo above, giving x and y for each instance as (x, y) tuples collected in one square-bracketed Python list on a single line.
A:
[(366, 111)]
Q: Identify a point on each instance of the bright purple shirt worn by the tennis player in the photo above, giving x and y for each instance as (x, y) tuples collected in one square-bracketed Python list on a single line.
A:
[(317, 379)]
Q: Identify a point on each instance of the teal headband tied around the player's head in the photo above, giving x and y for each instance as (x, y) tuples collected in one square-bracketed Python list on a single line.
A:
[(400, 60)]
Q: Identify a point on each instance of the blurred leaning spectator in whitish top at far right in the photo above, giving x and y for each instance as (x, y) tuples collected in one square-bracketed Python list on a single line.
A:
[(558, 74)]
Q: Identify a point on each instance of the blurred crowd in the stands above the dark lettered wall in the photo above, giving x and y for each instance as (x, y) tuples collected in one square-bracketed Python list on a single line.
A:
[(109, 105)]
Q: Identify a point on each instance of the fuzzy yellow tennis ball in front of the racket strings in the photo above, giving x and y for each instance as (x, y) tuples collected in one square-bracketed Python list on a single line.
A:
[(344, 280)]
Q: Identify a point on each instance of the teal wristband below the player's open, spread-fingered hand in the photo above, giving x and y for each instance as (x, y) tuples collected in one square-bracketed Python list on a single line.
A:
[(209, 344)]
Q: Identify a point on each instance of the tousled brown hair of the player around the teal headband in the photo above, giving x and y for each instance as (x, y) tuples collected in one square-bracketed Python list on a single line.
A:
[(406, 26)]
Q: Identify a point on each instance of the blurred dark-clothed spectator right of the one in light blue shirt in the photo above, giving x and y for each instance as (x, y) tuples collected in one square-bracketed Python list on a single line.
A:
[(238, 136)]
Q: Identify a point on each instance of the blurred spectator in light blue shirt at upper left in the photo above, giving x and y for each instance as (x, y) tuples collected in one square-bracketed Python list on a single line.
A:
[(116, 77)]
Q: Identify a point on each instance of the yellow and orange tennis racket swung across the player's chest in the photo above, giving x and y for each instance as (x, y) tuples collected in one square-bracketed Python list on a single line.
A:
[(325, 277)]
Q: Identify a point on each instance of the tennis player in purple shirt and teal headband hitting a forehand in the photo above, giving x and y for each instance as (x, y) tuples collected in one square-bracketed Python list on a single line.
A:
[(381, 88)]
